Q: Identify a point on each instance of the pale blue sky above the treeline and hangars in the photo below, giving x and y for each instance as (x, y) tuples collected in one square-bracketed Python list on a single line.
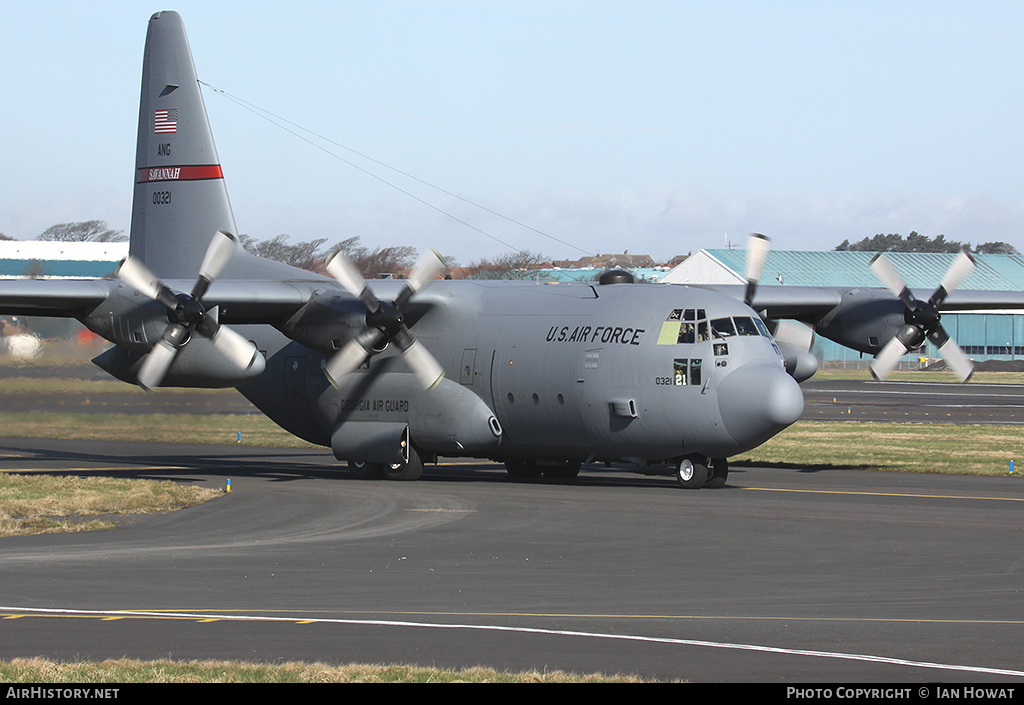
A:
[(654, 128)]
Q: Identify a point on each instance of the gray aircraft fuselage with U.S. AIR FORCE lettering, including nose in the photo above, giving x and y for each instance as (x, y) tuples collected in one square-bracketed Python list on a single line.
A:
[(570, 371)]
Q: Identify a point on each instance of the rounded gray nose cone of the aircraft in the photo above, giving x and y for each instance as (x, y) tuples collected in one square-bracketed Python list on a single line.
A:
[(758, 401)]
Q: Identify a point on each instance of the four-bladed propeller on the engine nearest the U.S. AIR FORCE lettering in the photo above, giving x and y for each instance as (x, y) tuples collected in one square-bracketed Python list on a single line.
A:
[(386, 322)]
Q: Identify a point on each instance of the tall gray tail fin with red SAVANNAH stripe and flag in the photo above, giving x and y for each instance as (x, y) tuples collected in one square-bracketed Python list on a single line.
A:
[(181, 199)]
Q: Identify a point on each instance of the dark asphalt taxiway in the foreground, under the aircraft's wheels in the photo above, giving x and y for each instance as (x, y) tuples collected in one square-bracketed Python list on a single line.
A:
[(783, 576)]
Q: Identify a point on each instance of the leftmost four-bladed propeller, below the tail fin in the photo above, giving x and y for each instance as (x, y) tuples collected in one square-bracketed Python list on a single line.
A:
[(187, 313)]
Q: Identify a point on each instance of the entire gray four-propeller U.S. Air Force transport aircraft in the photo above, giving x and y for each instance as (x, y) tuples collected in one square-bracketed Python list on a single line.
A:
[(542, 378)]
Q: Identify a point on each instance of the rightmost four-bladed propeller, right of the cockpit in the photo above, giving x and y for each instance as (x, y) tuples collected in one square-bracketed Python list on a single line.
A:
[(922, 319)]
